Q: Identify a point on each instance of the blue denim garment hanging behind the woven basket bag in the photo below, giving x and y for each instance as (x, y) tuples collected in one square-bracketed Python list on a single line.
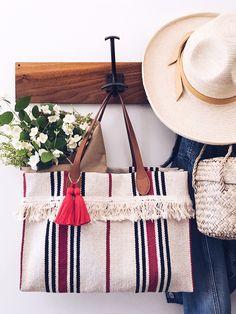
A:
[(214, 260)]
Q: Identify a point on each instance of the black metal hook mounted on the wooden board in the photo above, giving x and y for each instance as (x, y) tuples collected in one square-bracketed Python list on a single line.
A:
[(115, 81)]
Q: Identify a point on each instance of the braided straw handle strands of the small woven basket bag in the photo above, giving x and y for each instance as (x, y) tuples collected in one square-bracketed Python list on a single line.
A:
[(223, 162)]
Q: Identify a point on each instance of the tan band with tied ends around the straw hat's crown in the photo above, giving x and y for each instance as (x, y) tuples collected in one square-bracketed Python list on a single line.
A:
[(182, 82)]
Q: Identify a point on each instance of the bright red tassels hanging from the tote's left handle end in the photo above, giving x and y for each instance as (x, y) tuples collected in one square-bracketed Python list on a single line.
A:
[(73, 210)]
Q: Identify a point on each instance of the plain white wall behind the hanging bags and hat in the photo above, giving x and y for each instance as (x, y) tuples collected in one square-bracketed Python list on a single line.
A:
[(74, 30)]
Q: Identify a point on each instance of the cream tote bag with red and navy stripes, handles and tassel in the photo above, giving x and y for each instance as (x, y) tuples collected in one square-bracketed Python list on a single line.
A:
[(129, 231)]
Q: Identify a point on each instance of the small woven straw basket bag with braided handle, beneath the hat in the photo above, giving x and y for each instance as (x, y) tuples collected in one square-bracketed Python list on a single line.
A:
[(214, 182)]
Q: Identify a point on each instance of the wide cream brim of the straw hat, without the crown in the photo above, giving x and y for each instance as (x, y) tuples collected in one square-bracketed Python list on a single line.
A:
[(189, 116)]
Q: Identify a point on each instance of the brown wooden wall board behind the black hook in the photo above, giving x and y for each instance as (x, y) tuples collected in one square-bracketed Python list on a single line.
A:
[(75, 83)]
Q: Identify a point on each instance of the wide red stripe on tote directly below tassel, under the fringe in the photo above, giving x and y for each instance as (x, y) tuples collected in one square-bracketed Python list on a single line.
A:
[(63, 230)]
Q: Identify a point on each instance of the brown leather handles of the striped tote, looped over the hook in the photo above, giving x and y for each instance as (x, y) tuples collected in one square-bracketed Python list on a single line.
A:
[(142, 179)]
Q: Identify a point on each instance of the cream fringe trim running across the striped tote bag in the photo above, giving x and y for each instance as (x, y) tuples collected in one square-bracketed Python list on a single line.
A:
[(114, 209)]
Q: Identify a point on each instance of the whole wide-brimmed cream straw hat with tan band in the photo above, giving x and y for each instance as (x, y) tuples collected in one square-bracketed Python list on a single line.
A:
[(189, 74)]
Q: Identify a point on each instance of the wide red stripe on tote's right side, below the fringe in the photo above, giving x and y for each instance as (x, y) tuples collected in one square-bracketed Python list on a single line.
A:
[(152, 256)]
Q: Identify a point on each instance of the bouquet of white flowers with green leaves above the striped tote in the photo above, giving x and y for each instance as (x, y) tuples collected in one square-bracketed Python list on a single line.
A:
[(39, 136)]
